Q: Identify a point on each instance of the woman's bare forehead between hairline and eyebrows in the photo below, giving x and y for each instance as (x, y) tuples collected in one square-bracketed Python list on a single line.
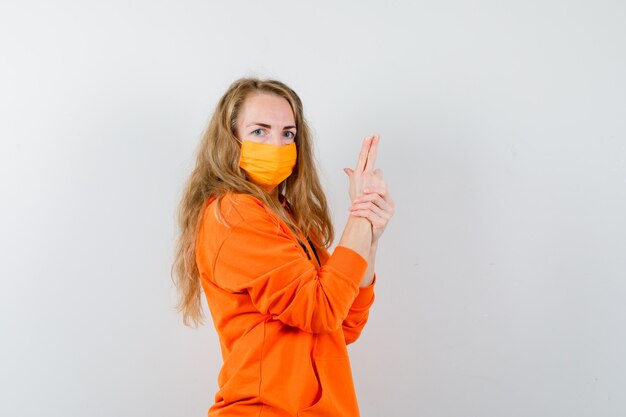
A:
[(266, 108)]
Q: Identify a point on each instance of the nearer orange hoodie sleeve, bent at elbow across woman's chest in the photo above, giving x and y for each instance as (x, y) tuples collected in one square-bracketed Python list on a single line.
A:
[(260, 256)]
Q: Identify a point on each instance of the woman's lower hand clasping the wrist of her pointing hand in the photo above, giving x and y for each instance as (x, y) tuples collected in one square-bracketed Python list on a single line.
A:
[(376, 205)]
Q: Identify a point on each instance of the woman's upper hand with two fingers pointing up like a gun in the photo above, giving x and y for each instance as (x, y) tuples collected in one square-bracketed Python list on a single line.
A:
[(364, 175)]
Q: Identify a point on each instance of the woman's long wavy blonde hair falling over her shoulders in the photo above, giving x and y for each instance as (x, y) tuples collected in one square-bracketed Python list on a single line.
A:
[(217, 172)]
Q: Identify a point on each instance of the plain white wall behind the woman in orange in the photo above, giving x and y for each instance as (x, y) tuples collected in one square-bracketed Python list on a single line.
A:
[(503, 138)]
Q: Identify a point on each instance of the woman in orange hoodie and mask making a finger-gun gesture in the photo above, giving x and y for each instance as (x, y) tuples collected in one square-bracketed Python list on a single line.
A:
[(255, 229)]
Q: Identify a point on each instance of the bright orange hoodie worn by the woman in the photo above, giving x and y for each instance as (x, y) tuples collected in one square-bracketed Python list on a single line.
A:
[(282, 319)]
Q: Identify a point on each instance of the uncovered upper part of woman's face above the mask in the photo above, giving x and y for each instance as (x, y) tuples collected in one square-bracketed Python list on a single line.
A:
[(266, 118)]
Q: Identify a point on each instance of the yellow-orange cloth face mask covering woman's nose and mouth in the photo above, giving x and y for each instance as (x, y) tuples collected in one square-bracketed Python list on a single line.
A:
[(267, 165)]
